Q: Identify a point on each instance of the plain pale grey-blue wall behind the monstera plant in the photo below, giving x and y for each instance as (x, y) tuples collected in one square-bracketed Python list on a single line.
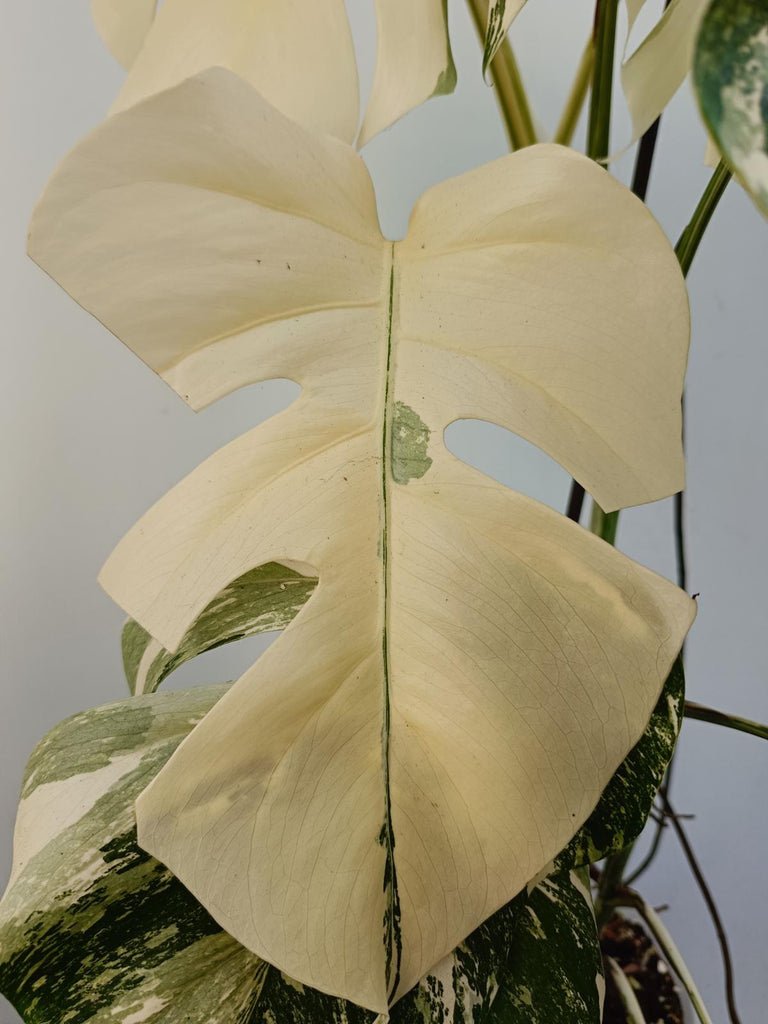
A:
[(90, 439)]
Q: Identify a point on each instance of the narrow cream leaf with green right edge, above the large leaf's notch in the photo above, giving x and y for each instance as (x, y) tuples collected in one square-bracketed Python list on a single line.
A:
[(413, 61)]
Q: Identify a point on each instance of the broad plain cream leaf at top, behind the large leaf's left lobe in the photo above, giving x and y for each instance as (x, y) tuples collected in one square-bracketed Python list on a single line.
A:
[(298, 55)]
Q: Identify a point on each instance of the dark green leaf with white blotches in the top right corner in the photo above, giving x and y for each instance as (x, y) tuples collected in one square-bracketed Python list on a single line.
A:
[(731, 76)]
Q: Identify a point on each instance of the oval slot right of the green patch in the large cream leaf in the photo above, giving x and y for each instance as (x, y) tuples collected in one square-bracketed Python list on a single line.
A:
[(510, 460)]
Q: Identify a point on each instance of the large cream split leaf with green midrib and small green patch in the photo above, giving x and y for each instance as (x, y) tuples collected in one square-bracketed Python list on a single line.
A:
[(445, 712)]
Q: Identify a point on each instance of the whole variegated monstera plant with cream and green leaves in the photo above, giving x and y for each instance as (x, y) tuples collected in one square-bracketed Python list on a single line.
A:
[(393, 815)]
